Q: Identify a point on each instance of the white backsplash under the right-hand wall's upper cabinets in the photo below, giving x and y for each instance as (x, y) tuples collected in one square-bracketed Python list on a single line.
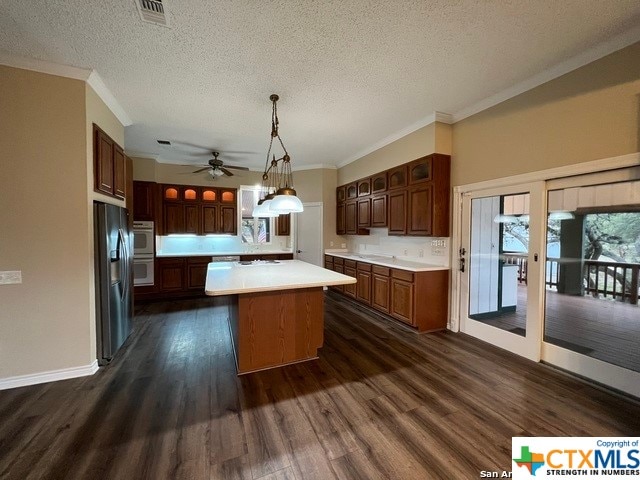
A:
[(431, 250)]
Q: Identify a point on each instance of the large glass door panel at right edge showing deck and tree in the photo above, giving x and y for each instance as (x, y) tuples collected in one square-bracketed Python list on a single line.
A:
[(592, 278)]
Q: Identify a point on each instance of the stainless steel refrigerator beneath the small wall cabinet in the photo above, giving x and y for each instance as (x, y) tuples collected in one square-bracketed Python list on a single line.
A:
[(113, 267)]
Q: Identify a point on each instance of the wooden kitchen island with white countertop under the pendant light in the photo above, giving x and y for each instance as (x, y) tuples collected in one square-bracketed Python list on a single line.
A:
[(275, 309)]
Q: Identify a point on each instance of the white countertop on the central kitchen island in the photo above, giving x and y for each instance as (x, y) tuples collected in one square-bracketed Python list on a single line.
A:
[(228, 278)]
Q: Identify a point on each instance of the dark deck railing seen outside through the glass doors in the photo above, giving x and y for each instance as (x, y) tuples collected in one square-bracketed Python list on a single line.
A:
[(609, 279)]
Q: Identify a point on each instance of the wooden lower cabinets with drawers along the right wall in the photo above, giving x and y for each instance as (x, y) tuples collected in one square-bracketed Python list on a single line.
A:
[(418, 299)]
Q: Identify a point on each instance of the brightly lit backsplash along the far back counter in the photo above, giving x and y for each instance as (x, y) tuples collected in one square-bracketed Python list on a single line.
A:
[(178, 244)]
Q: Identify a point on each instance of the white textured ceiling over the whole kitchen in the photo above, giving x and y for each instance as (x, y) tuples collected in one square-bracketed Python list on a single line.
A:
[(350, 73)]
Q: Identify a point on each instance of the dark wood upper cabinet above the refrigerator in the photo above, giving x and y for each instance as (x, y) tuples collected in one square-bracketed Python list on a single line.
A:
[(109, 165)]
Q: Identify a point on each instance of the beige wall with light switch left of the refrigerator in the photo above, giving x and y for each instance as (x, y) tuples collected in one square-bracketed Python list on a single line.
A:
[(45, 321)]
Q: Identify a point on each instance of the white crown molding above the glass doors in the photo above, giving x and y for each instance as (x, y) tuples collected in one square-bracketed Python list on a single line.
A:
[(602, 50)]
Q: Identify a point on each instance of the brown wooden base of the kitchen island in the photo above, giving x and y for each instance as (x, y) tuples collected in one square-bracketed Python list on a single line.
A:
[(275, 328)]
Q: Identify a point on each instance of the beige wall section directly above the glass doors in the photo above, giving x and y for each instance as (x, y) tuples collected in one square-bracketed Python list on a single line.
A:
[(588, 114)]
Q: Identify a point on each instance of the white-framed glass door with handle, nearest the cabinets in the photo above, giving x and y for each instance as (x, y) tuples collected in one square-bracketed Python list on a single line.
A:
[(500, 262)]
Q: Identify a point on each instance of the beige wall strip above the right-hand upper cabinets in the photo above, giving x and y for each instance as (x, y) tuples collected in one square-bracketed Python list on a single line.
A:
[(433, 138)]
